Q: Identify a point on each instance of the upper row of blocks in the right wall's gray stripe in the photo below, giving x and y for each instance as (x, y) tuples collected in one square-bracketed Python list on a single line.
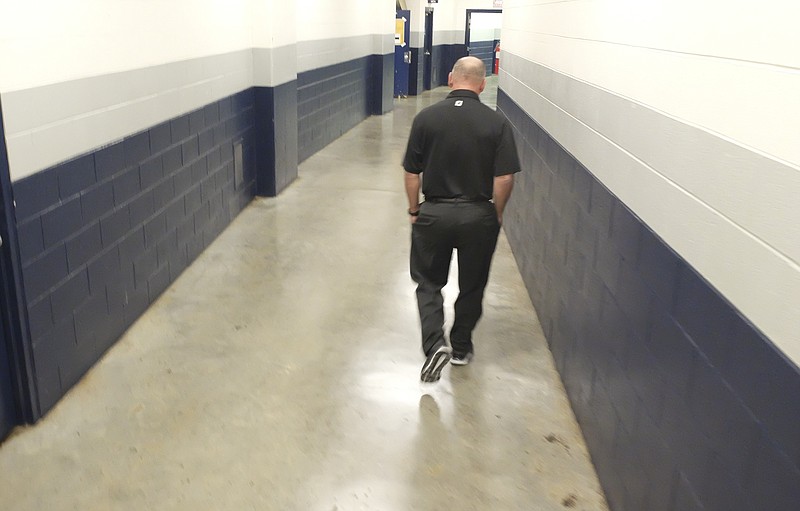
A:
[(726, 176)]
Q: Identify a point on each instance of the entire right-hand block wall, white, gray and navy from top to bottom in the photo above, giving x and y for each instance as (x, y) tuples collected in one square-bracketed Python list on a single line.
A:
[(654, 228)]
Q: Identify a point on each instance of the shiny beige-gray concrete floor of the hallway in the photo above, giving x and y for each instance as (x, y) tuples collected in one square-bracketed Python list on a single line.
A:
[(281, 372)]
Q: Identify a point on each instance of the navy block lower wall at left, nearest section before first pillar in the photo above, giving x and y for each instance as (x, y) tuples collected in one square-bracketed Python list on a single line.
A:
[(101, 236)]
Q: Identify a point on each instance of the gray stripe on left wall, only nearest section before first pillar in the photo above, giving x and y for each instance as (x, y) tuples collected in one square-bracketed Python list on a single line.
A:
[(53, 123)]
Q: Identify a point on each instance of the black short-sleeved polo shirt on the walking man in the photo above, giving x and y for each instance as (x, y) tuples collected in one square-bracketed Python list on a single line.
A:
[(460, 145)]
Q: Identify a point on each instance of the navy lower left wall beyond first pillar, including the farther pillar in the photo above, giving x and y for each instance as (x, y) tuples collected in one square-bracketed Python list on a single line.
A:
[(333, 99)]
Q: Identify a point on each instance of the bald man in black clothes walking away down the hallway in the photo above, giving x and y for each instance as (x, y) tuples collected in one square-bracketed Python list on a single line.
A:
[(461, 153)]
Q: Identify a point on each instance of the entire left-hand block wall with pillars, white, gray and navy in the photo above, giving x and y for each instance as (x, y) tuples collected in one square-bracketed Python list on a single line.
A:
[(127, 161)]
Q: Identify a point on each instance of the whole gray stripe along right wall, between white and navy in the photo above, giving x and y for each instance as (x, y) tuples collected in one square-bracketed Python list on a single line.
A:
[(742, 239)]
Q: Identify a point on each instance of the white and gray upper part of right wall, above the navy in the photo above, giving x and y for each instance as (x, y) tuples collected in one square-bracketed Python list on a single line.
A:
[(728, 69)]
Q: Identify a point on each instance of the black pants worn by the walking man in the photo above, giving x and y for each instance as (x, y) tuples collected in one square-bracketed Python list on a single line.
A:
[(471, 228)]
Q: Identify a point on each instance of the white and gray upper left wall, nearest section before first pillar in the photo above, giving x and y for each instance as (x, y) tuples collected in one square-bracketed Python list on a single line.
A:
[(82, 74)]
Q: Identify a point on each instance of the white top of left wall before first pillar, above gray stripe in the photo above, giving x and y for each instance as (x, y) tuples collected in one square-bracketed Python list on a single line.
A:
[(53, 41)]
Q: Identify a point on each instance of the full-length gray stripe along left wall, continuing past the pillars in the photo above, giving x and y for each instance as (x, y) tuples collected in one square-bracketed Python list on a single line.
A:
[(53, 123)]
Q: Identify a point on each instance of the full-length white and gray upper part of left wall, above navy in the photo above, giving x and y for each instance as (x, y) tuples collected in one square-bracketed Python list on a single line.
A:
[(81, 74)]
